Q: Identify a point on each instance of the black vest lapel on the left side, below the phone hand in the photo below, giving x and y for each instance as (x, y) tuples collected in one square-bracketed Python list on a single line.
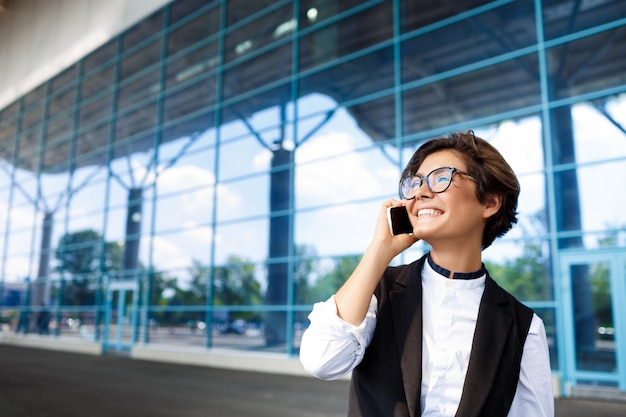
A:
[(406, 302)]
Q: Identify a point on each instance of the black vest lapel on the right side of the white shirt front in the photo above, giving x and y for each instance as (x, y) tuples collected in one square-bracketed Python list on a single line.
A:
[(492, 330)]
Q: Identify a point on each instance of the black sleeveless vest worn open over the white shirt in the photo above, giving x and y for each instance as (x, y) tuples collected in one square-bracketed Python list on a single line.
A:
[(388, 381)]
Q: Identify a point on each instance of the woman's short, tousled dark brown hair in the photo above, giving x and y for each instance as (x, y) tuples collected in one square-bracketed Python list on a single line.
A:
[(493, 175)]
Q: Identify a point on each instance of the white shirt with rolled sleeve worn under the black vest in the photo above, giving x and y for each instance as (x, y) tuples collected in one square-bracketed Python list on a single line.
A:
[(331, 347)]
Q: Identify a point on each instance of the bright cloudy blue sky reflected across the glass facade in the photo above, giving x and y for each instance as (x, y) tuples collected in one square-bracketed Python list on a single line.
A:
[(341, 179)]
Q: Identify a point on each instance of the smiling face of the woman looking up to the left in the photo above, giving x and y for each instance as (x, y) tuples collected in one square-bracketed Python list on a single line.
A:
[(455, 217)]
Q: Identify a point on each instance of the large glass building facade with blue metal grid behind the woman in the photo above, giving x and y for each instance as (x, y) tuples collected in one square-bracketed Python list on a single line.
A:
[(205, 176)]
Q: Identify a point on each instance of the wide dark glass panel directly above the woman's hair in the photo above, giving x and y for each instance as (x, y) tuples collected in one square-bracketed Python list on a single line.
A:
[(492, 90)]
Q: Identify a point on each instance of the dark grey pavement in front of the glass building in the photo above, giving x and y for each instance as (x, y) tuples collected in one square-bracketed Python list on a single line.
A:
[(46, 383)]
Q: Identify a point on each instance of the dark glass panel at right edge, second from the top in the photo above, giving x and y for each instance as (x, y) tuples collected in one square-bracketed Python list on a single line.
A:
[(589, 64)]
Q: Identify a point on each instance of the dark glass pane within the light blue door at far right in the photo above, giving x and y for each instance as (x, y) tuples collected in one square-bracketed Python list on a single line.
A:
[(593, 316)]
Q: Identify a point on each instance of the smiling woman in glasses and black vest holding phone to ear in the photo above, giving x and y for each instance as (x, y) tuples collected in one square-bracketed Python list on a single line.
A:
[(437, 337)]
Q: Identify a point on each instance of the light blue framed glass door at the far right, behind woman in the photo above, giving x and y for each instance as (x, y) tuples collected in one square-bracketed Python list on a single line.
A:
[(594, 307)]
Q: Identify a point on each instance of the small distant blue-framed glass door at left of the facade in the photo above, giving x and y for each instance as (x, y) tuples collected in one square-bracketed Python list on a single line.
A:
[(120, 320)]
